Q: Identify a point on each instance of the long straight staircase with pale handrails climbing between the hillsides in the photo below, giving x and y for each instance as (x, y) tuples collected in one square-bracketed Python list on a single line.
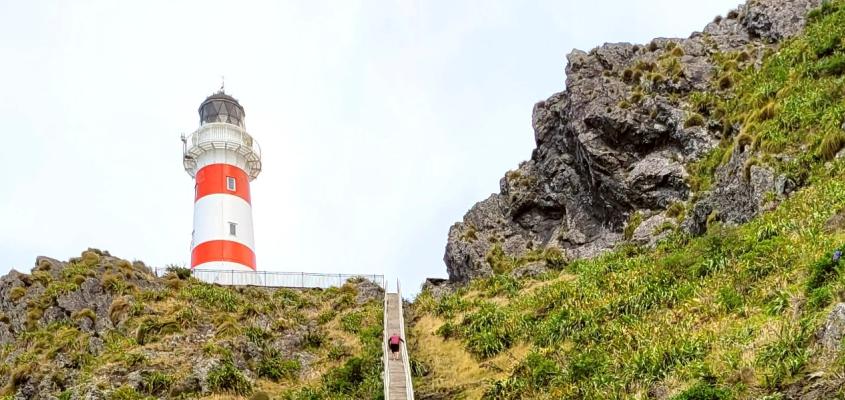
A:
[(397, 373)]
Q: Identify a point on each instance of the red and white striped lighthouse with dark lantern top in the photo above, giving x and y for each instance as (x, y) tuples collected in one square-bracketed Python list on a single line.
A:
[(223, 159)]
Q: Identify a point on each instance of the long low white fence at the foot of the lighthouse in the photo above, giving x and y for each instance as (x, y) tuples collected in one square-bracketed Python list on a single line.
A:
[(276, 279)]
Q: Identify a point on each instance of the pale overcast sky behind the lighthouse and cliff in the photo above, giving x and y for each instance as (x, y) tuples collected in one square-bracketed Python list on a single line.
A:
[(381, 122)]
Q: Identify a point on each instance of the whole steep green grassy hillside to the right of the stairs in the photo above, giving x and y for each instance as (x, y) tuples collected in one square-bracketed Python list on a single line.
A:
[(733, 313)]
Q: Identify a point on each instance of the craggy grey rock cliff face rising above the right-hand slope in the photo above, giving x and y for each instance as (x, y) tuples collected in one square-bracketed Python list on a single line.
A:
[(617, 150)]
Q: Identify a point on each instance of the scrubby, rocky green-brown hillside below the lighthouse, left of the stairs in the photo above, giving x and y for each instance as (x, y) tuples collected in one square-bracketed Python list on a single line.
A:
[(141, 337)]
